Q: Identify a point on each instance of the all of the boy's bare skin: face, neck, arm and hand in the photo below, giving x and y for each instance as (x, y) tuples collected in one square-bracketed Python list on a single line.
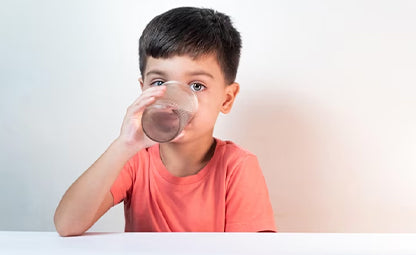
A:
[(89, 197)]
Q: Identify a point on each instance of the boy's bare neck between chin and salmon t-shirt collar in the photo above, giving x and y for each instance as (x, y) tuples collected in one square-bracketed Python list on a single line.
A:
[(184, 159)]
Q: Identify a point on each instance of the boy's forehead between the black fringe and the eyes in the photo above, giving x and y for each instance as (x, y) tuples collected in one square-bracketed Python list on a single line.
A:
[(184, 65)]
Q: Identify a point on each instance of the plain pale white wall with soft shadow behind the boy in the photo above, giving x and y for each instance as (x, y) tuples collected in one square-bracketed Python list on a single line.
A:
[(327, 103)]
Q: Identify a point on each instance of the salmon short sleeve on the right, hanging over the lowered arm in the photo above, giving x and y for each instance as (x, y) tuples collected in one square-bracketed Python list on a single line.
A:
[(248, 207)]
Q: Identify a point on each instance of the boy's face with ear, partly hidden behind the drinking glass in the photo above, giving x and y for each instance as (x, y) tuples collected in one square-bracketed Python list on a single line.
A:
[(205, 77)]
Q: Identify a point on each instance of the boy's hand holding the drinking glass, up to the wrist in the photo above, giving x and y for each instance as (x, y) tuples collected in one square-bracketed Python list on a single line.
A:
[(131, 133)]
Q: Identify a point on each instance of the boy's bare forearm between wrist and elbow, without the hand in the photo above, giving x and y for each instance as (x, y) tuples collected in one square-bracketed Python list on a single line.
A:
[(79, 205)]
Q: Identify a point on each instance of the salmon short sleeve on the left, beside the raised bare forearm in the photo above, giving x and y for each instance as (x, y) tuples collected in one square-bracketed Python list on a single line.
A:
[(122, 186)]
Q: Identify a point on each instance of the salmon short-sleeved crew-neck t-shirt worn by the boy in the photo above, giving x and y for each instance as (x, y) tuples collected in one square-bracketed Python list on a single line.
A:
[(228, 195)]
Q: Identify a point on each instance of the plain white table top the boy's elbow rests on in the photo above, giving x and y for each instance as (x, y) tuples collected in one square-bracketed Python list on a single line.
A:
[(206, 243)]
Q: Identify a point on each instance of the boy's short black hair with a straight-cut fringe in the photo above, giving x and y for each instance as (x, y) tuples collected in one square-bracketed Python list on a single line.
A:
[(194, 32)]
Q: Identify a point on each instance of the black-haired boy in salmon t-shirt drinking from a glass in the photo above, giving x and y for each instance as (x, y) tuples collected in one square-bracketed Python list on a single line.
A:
[(195, 182)]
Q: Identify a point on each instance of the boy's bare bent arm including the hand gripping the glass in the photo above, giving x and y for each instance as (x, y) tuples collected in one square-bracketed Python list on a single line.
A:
[(89, 197)]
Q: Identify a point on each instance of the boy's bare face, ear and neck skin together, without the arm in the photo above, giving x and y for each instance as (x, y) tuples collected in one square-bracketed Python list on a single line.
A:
[(186, 155)]
